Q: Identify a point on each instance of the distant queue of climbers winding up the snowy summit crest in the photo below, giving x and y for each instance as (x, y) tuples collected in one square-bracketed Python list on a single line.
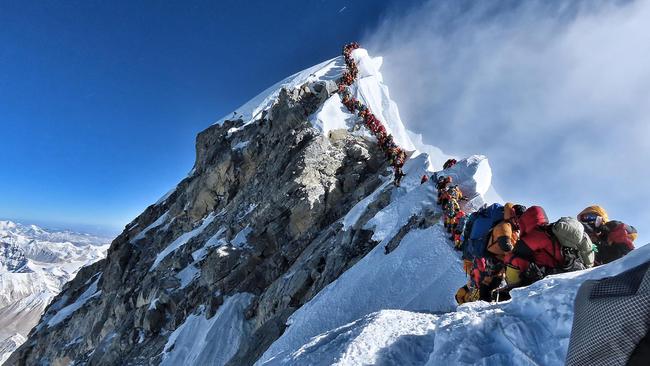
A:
[(395, 155)]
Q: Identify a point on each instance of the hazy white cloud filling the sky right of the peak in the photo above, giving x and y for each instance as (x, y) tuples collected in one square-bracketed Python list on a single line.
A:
[(556, 93)]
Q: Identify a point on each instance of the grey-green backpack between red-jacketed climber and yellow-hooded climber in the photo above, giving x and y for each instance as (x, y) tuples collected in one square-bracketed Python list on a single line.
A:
[(570, 233)]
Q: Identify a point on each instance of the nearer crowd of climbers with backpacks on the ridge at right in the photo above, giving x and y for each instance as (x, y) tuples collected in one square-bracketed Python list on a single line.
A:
[(509, 246)]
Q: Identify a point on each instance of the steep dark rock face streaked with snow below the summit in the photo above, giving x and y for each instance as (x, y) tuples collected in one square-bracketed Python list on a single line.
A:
[(257, 216)]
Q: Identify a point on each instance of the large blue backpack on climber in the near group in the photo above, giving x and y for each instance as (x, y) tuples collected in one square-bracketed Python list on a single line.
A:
[(478, 228)]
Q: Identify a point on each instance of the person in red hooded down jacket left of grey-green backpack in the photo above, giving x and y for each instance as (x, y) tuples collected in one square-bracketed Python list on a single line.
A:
[(536, 253)]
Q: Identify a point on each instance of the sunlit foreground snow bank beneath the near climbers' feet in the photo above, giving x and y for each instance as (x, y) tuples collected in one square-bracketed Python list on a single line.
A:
[(531, 329)]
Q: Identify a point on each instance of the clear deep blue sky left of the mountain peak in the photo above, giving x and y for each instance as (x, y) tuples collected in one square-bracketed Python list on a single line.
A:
[(100, 101)]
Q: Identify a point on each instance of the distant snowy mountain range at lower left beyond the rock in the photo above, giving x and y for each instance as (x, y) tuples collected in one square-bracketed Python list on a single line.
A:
[(48, 260)]
